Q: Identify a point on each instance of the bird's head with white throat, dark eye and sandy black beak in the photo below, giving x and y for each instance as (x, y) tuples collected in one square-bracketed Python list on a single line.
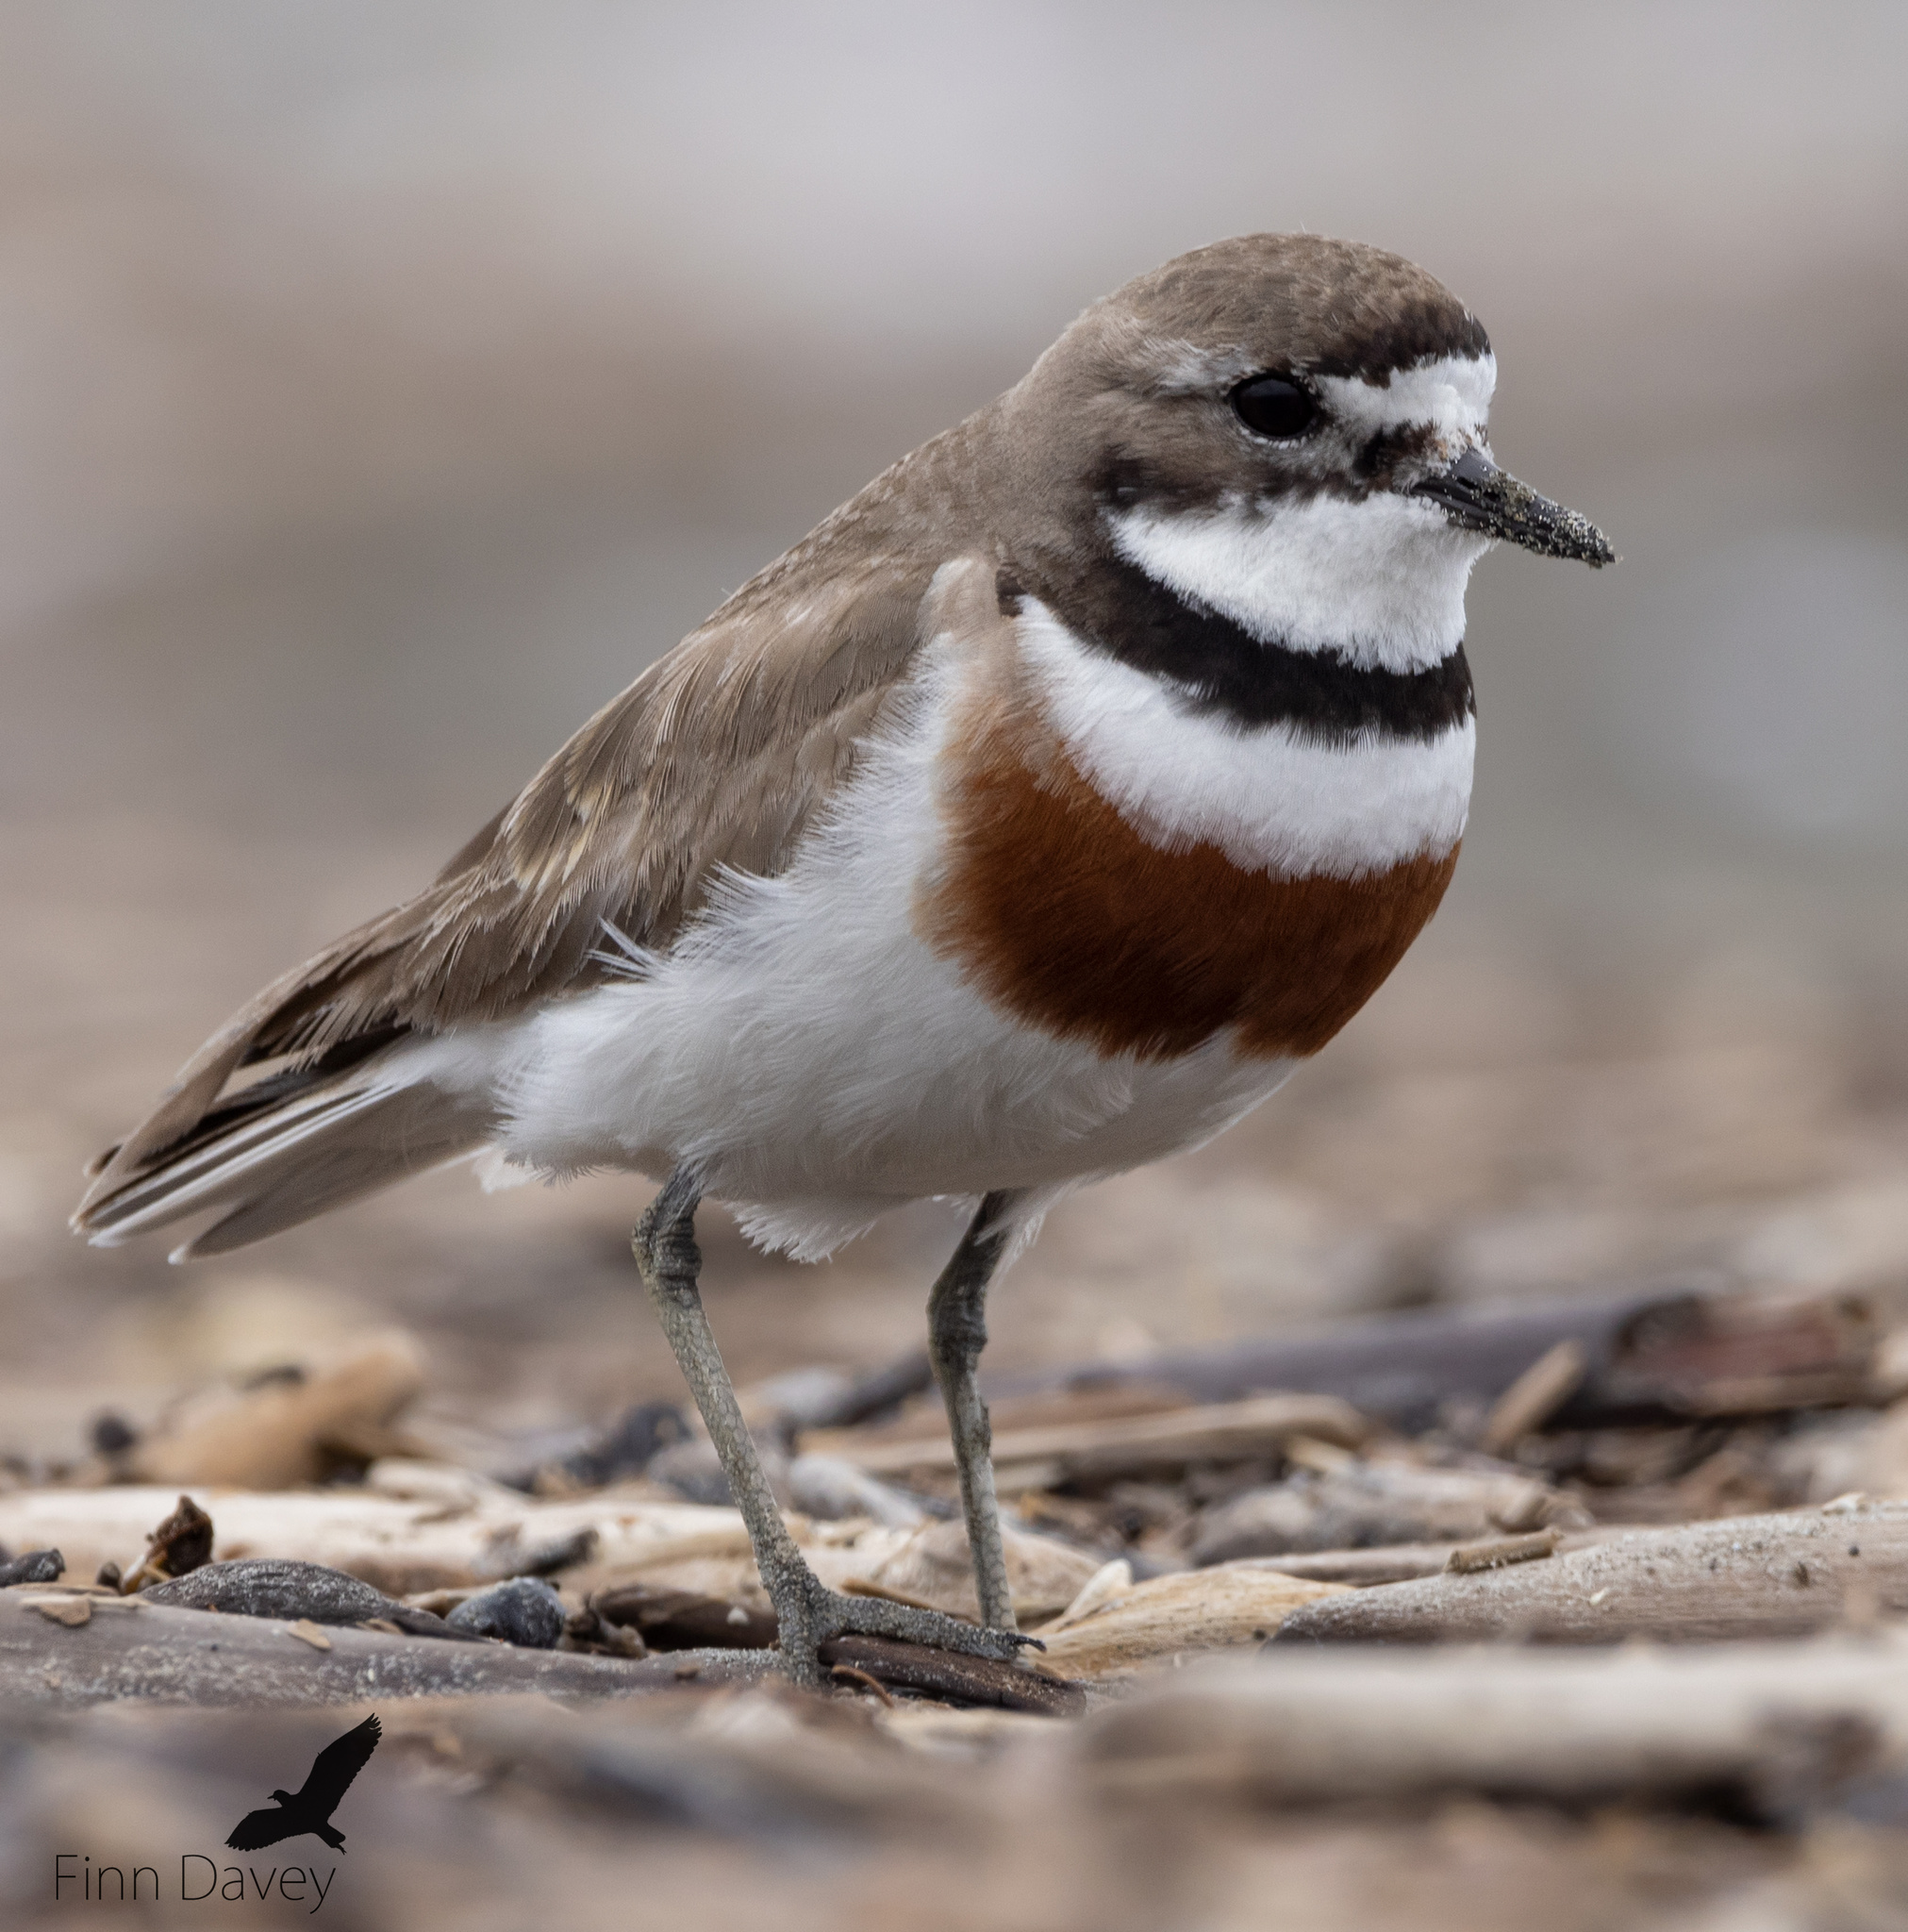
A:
[(1293, 434)]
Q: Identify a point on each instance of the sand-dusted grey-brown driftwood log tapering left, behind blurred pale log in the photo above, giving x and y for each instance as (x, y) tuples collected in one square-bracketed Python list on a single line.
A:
[(1739, 1577)]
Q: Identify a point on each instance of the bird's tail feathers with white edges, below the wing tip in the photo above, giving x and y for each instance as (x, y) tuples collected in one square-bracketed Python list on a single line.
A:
[(291, 1158)]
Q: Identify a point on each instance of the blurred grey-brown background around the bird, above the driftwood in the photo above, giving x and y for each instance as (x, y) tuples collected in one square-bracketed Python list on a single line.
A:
[(381, 387)]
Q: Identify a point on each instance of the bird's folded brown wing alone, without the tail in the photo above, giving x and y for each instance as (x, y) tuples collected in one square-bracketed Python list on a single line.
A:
[(717, 756)]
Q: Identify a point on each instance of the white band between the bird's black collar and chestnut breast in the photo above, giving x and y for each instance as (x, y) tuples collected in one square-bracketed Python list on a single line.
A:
[(1270, 799)]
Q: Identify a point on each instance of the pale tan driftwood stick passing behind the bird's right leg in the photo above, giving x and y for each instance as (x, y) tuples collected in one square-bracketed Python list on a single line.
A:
[(1125, 1446)]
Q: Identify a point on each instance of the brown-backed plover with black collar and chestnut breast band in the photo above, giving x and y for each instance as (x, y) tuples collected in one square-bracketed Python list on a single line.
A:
[(1030, 820)]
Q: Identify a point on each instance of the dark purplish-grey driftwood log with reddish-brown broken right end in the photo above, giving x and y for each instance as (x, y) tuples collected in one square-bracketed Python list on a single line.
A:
[(1646, 1357)]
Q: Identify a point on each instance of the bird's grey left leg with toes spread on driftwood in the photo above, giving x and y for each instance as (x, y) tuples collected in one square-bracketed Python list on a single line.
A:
[(808, 1614)]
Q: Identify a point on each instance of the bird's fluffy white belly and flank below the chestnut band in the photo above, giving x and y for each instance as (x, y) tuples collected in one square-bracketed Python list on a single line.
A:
[(820, 1064)]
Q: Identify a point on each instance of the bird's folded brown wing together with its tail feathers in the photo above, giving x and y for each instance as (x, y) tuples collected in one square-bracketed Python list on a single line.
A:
[(717, 758)]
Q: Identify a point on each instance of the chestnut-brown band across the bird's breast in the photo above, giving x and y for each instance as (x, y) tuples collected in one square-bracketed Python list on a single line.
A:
[(1065, 917)]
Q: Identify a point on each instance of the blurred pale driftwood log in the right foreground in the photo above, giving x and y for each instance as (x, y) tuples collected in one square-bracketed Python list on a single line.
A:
[(1766, 1724)]
